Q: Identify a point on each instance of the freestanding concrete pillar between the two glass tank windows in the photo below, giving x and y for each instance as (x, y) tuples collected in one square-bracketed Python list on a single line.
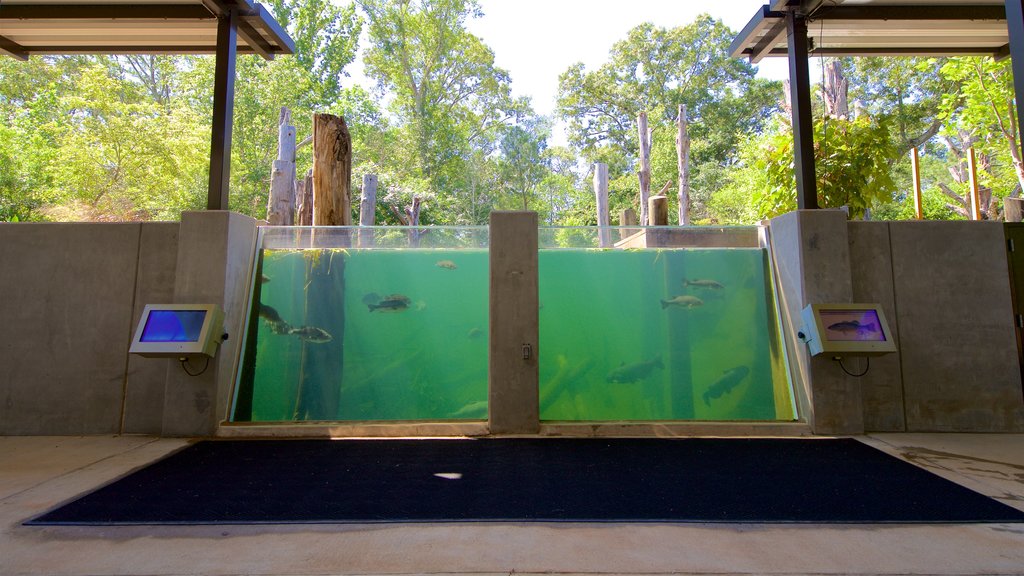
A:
[(514, 372)]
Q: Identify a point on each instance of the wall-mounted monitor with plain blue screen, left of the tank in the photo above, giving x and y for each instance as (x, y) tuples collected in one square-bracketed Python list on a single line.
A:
[(179, 332)]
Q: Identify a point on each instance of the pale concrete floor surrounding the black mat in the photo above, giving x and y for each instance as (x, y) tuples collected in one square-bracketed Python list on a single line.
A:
[(38, 473)]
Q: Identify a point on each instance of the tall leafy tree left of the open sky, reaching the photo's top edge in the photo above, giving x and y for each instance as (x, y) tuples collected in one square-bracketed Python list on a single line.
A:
[(449, 97)]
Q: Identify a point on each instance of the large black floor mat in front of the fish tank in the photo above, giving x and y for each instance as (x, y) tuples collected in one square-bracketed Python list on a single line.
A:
[(531, 480)]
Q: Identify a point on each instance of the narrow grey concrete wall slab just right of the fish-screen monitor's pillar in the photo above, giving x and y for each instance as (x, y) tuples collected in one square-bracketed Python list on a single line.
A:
[(872, 278)]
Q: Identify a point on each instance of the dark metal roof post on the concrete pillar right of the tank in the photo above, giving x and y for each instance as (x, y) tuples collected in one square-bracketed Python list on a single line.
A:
[(803, 125)]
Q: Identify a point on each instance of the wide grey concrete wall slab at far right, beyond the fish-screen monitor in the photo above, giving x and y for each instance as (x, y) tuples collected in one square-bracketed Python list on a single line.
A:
[(958, 346)]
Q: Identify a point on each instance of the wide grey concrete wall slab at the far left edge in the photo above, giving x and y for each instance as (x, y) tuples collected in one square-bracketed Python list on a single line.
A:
[(66, 298)]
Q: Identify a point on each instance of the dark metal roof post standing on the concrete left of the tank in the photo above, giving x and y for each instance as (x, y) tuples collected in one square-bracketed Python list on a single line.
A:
[(224, 110)]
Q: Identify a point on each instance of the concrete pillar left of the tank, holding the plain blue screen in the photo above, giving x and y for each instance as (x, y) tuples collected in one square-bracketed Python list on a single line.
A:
[(215, 265)]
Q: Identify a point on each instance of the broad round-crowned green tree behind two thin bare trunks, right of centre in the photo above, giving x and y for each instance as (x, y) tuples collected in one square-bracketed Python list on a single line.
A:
[(655, 70)]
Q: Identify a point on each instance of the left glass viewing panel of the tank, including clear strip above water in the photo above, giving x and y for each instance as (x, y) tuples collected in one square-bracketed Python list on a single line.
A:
[(361, 324)]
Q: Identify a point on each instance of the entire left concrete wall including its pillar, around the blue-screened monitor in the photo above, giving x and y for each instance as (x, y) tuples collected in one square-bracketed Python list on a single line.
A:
[(71, 296)]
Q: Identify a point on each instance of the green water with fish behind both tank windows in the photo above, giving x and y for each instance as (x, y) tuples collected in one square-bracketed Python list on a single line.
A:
[(613, 345)]
